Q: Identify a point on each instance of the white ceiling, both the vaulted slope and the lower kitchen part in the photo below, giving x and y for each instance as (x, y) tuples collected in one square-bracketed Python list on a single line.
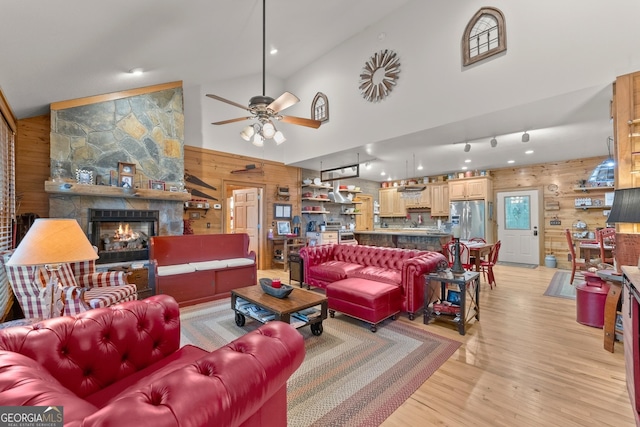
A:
[(64, 49)]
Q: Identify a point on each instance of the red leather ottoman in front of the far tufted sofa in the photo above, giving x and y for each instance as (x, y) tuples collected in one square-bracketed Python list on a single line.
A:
[(364, 299)]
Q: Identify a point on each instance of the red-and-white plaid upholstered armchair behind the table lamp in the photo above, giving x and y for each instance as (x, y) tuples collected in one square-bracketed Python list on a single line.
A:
[(80, 288)]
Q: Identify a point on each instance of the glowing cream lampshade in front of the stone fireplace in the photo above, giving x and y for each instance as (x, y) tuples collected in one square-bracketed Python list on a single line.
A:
[(53, 241)]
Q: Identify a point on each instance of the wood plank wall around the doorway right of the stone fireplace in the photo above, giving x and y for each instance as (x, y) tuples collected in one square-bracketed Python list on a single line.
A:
[(214, 168)]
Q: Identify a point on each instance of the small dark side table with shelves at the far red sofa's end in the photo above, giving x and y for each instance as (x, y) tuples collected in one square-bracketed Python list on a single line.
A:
[(468, 285)]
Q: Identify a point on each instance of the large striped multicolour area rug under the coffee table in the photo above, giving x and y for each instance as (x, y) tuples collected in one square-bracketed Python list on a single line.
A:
[(350, 376)]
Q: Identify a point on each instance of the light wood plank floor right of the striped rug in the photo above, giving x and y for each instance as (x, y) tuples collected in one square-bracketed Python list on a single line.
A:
[(527, 362)]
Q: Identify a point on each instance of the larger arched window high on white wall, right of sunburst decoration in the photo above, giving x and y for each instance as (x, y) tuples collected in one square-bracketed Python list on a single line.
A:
[(484, 36)]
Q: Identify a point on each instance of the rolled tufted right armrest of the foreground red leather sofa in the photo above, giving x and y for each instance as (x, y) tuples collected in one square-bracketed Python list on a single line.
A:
[(223, 388)]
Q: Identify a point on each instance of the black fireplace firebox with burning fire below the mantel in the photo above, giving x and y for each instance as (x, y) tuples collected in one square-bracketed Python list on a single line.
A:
[(122, 235)]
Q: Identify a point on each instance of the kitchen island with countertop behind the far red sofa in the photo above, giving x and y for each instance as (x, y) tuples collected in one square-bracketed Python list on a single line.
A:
[(414, 238)]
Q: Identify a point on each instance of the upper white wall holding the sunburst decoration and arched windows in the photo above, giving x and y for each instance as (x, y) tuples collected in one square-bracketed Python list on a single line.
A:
[(553, 48)]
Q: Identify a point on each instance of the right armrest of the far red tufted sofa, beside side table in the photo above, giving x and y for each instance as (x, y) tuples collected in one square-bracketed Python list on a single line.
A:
[(413, 271)]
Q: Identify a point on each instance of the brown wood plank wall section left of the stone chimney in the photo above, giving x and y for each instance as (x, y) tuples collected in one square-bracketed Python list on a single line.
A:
[(32, 165)]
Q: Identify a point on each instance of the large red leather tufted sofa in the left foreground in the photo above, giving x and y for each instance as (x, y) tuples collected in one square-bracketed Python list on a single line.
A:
[(123, 366)]
